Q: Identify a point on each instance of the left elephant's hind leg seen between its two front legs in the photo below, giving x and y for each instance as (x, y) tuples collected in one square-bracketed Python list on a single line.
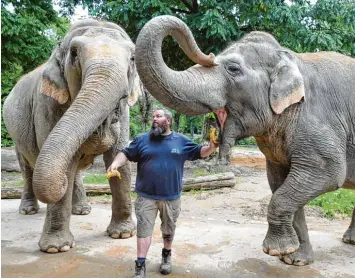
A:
[(80, 205)]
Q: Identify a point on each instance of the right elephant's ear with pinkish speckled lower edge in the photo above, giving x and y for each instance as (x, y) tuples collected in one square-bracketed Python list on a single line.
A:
[(287, 86)]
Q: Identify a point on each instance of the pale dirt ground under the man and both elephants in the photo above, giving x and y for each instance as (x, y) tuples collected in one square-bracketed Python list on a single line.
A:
[(219, 234)]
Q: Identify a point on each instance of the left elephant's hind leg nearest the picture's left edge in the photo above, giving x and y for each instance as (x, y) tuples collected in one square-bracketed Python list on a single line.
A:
[(29, 203)]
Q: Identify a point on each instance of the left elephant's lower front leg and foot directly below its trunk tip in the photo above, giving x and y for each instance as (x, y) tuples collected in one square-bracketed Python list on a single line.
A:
[(56, 235)]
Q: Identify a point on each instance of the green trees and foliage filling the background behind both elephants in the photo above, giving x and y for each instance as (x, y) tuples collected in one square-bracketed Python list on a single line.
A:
[(30, 29)]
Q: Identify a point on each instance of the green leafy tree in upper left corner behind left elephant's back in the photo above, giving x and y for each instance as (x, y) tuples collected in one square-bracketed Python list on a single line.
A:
[(29, 30)]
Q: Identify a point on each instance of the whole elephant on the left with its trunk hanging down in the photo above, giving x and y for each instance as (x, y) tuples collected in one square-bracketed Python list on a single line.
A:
[(66, 112)]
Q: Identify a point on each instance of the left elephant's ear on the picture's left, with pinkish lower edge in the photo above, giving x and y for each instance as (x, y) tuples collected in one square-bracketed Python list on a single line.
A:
[(53, 82)]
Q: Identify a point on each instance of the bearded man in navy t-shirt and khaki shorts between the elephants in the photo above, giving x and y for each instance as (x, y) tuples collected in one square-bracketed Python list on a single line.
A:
[(160, 155)]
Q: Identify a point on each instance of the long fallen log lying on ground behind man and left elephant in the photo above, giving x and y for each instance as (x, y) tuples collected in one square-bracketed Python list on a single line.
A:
[(214, 181)]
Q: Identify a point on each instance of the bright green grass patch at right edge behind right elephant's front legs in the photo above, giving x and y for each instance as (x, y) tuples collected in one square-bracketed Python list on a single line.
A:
[(341, 201)]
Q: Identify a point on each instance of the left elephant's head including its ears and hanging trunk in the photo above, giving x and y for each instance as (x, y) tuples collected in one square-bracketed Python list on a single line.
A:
[(90, 74)]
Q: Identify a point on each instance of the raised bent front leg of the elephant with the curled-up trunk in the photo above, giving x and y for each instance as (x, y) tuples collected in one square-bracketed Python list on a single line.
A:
[(300, 187)]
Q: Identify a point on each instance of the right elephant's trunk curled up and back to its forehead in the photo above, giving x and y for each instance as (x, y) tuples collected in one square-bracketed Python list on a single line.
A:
[(193, 91)]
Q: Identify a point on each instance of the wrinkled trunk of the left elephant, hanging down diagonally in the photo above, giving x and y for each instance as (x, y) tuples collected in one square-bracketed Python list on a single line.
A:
[(97, 98)]
